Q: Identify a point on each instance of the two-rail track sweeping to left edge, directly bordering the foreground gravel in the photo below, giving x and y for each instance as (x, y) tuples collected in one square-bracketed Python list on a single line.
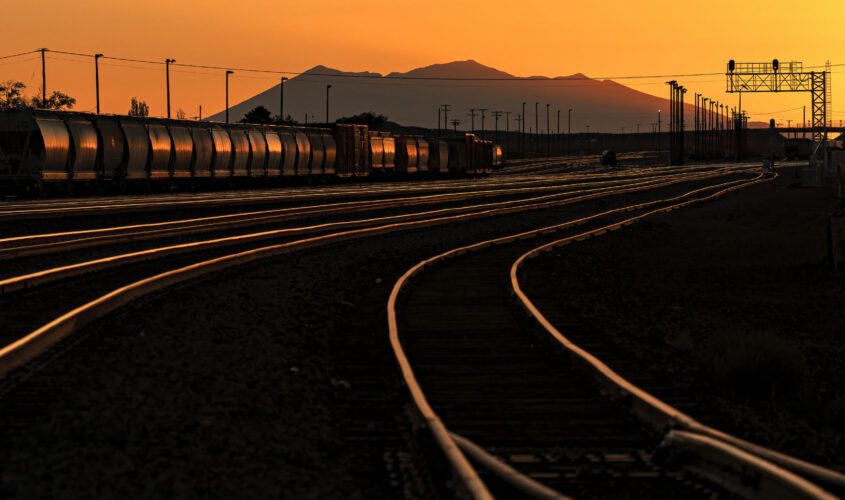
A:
[(90, 295)]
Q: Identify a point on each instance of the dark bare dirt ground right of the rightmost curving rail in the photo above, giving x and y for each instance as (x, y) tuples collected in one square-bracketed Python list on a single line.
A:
[(732, 303)]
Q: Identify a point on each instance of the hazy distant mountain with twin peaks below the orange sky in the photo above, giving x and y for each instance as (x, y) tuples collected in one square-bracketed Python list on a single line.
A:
[(408, 99)]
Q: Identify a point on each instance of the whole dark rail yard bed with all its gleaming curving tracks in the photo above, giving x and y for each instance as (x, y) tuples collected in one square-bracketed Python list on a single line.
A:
[(379, 329)]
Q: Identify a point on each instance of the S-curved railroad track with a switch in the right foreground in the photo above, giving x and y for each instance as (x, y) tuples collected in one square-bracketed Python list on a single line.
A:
[(523, 415)]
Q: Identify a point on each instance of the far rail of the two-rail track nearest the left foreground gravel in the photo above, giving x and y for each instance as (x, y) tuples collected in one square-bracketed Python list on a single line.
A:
[(38, 278)]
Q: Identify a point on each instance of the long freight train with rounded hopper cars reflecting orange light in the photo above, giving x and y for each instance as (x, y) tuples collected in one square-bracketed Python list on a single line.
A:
[(50, 151)]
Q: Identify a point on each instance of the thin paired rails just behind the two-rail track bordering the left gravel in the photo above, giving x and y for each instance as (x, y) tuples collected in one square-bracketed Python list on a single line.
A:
[(41, 244)]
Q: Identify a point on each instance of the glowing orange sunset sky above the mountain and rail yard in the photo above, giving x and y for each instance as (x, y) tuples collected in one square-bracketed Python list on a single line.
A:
[(526, 37)]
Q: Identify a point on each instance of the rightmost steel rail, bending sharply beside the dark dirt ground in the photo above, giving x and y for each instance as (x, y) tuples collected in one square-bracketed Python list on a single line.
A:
[(647, 406)]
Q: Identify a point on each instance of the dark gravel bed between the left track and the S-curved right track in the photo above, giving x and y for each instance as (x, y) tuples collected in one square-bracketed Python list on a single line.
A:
[(272, 380)]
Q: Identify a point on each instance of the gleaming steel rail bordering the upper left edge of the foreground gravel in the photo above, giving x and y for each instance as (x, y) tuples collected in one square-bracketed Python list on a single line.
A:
[(31, 345)]
